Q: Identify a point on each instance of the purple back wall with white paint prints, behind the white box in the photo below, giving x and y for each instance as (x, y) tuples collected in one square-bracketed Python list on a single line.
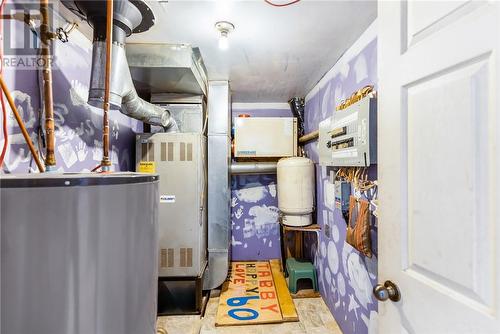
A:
[(254, 208)]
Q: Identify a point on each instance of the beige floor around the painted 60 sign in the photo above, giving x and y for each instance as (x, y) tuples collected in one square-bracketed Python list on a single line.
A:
[(315, 318)]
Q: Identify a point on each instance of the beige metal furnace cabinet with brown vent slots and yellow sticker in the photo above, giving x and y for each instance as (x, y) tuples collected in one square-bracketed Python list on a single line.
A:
[(180, 160)]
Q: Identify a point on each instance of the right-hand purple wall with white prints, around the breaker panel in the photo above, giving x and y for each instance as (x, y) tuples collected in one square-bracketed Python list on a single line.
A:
[(346, 277)]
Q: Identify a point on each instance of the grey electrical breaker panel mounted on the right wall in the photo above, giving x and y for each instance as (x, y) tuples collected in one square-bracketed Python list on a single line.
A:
[(349, 137)]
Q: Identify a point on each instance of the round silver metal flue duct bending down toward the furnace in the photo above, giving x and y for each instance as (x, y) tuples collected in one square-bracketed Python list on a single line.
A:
[(128, 17)]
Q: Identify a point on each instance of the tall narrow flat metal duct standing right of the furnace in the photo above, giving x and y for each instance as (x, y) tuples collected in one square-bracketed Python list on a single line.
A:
[(219, 160)]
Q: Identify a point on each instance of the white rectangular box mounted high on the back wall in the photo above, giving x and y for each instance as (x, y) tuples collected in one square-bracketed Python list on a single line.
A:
[(263, 137)]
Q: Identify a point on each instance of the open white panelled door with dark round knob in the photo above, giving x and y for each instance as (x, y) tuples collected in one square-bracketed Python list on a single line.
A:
[(439, 166)]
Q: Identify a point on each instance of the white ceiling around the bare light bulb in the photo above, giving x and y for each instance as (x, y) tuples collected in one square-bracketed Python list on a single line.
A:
[(274, 53)]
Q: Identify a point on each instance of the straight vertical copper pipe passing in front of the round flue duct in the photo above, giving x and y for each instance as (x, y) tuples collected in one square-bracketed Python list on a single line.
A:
[(106, 162)]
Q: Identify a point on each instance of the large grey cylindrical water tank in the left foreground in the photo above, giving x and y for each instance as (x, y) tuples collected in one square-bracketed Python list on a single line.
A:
[(79, 253)]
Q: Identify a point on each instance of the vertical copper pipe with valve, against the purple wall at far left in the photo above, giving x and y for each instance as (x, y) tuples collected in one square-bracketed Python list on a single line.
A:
[(50, 158)]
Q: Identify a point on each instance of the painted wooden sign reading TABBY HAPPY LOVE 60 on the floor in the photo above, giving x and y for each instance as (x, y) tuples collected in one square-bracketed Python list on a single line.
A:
[(250, 296)]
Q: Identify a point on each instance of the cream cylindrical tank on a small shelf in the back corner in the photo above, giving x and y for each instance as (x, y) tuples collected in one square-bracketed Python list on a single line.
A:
[(296, 190)]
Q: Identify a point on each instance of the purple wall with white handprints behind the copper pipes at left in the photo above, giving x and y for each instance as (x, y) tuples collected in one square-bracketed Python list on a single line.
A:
[(78, 125)]
